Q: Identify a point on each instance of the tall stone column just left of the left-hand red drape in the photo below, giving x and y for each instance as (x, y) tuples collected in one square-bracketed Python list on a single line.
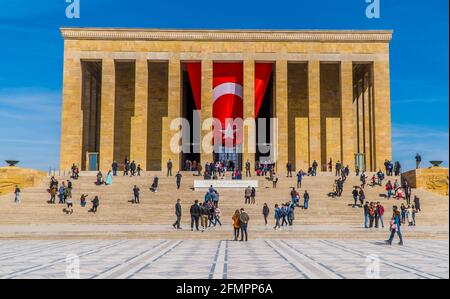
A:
[(173, 112)]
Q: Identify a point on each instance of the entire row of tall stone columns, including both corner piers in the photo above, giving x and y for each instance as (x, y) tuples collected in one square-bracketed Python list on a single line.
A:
[(71, 141)]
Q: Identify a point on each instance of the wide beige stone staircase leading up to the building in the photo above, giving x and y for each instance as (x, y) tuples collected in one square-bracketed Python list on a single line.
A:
[(117, 217)]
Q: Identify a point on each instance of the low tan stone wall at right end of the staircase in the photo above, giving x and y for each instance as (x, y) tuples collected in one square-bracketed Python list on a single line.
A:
[(434, 179)]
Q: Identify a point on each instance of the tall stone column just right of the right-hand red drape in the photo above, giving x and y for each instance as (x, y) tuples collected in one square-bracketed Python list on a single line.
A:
[(281, 113)]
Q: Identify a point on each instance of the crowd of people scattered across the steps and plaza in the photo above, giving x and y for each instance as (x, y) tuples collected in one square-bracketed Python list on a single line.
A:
[(205, 214)]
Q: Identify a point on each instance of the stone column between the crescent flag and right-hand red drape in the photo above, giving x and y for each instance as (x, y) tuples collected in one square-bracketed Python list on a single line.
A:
[(249, 113)]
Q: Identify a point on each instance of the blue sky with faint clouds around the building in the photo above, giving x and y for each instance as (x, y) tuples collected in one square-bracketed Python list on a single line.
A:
[(32, 56)]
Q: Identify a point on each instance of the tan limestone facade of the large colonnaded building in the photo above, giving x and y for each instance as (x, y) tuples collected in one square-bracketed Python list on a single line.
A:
[(331, 92)]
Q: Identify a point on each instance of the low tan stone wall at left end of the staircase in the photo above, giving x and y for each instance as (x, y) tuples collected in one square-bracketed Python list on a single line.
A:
[(22, 177)]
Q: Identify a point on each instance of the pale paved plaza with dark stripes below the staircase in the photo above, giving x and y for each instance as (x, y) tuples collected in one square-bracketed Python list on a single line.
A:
[(211, 259)]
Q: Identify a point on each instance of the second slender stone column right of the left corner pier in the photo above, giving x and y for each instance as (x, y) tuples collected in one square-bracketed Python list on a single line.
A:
[(138, 144)]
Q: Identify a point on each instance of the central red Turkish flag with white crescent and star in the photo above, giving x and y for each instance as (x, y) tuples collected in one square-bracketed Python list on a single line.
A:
[(228, 98)]
